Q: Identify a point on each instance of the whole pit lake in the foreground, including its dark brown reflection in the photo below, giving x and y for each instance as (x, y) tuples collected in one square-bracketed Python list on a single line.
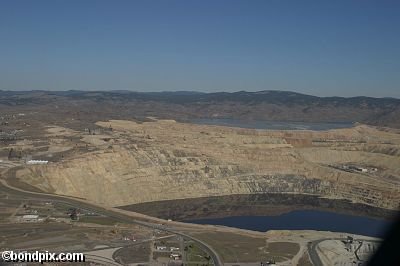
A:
[(268, 211)]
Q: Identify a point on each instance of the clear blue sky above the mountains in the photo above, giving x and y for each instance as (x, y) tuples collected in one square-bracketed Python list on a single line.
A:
[(318, 47)]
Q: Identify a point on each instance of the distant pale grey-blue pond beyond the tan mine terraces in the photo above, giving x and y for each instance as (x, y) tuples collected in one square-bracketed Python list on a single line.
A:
[(255, 124)]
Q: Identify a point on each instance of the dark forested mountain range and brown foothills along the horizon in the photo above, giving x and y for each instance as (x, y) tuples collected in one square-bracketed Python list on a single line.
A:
[(262, 105)]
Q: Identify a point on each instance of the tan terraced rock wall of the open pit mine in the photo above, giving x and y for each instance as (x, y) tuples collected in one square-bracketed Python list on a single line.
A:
[(164, 160)]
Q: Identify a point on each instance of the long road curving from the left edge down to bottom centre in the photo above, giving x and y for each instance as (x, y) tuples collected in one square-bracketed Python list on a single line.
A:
[(78, 203)]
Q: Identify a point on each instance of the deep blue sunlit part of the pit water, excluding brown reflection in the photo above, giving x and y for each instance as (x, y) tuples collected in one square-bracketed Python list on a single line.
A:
[(304, 220)]
